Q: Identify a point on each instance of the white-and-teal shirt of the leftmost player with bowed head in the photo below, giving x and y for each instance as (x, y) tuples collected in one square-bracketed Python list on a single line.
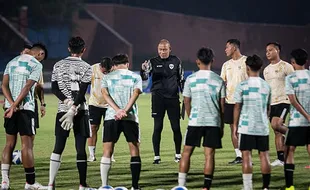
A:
[(20, 69)]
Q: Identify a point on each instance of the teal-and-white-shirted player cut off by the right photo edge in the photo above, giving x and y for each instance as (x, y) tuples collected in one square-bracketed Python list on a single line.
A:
[(297, 87)]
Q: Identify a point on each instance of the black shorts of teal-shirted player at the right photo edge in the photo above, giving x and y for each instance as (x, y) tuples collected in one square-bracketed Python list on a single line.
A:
[(298, 136)]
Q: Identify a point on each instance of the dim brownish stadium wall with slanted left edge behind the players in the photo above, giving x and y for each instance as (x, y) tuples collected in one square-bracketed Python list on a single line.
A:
[(144, 28)]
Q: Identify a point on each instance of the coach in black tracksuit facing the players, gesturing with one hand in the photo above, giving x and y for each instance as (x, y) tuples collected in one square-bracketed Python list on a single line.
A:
[(167, 79)]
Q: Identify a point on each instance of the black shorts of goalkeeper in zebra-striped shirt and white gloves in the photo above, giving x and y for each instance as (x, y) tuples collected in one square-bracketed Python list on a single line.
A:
[(81, 125)]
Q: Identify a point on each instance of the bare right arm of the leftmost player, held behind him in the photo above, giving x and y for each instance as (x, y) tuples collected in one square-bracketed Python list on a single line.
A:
[(9, 112)]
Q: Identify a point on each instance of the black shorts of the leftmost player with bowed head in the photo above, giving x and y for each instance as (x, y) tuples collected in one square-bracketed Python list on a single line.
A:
[(21, 122)]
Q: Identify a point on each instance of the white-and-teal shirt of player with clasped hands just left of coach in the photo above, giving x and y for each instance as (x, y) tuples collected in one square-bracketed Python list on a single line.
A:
[(121, 84)]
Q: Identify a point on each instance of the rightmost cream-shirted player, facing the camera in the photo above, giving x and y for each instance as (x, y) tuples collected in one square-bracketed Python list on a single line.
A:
[(275, 74)]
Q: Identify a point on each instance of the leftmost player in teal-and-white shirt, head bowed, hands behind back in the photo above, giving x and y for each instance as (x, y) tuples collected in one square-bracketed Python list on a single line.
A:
[(19, 79)]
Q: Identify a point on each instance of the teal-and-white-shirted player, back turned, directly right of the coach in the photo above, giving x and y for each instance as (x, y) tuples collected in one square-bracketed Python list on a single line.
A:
[(204, 98)]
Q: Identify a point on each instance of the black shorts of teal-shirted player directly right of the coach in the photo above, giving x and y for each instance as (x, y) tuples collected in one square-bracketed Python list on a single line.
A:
[(211, 137)]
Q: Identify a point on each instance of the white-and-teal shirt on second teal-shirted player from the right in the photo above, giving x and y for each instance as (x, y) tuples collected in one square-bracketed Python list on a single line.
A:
[(255, 96)]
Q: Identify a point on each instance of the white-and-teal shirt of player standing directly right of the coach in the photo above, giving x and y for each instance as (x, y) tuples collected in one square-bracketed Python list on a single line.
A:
[(205, 88)]
